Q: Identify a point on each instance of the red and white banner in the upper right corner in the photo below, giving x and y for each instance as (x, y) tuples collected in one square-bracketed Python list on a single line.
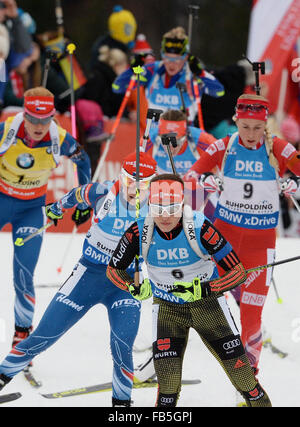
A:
[(274, 33)]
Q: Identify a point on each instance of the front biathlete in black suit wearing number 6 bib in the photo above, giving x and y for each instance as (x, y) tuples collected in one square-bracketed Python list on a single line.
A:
[(180, 248)]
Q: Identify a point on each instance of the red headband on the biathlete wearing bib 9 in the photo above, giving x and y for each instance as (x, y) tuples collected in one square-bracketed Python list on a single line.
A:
[(249, 108)]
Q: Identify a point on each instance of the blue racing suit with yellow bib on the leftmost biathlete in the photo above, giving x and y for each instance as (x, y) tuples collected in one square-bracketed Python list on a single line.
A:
[(24, 173)]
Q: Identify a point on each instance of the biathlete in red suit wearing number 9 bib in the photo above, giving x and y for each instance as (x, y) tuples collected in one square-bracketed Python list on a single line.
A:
[(251, 162)]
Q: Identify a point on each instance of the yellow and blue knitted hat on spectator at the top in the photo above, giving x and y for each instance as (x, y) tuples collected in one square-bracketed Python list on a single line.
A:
[(122, 25)]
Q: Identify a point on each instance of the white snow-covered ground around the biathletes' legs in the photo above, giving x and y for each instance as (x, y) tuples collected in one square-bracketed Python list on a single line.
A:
[(82, 356)]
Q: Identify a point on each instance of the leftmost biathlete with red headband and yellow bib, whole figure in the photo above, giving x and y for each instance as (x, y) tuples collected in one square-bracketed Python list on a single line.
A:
[(31, 144)]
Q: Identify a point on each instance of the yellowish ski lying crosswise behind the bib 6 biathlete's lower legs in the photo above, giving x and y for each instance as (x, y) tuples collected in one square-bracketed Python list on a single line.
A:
[(107, 387)]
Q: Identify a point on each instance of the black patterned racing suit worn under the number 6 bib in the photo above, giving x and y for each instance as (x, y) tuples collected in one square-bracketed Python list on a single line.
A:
[(210, 317)]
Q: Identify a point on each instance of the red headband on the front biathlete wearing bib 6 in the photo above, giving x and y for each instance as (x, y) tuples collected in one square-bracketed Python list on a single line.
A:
[(166, 192)]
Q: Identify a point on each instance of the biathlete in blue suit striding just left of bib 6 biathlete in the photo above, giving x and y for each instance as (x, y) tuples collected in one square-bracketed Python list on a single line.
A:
[(114, 206)]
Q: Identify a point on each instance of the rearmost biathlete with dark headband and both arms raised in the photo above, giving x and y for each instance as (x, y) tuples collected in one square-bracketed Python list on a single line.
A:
[(177, 66)]
